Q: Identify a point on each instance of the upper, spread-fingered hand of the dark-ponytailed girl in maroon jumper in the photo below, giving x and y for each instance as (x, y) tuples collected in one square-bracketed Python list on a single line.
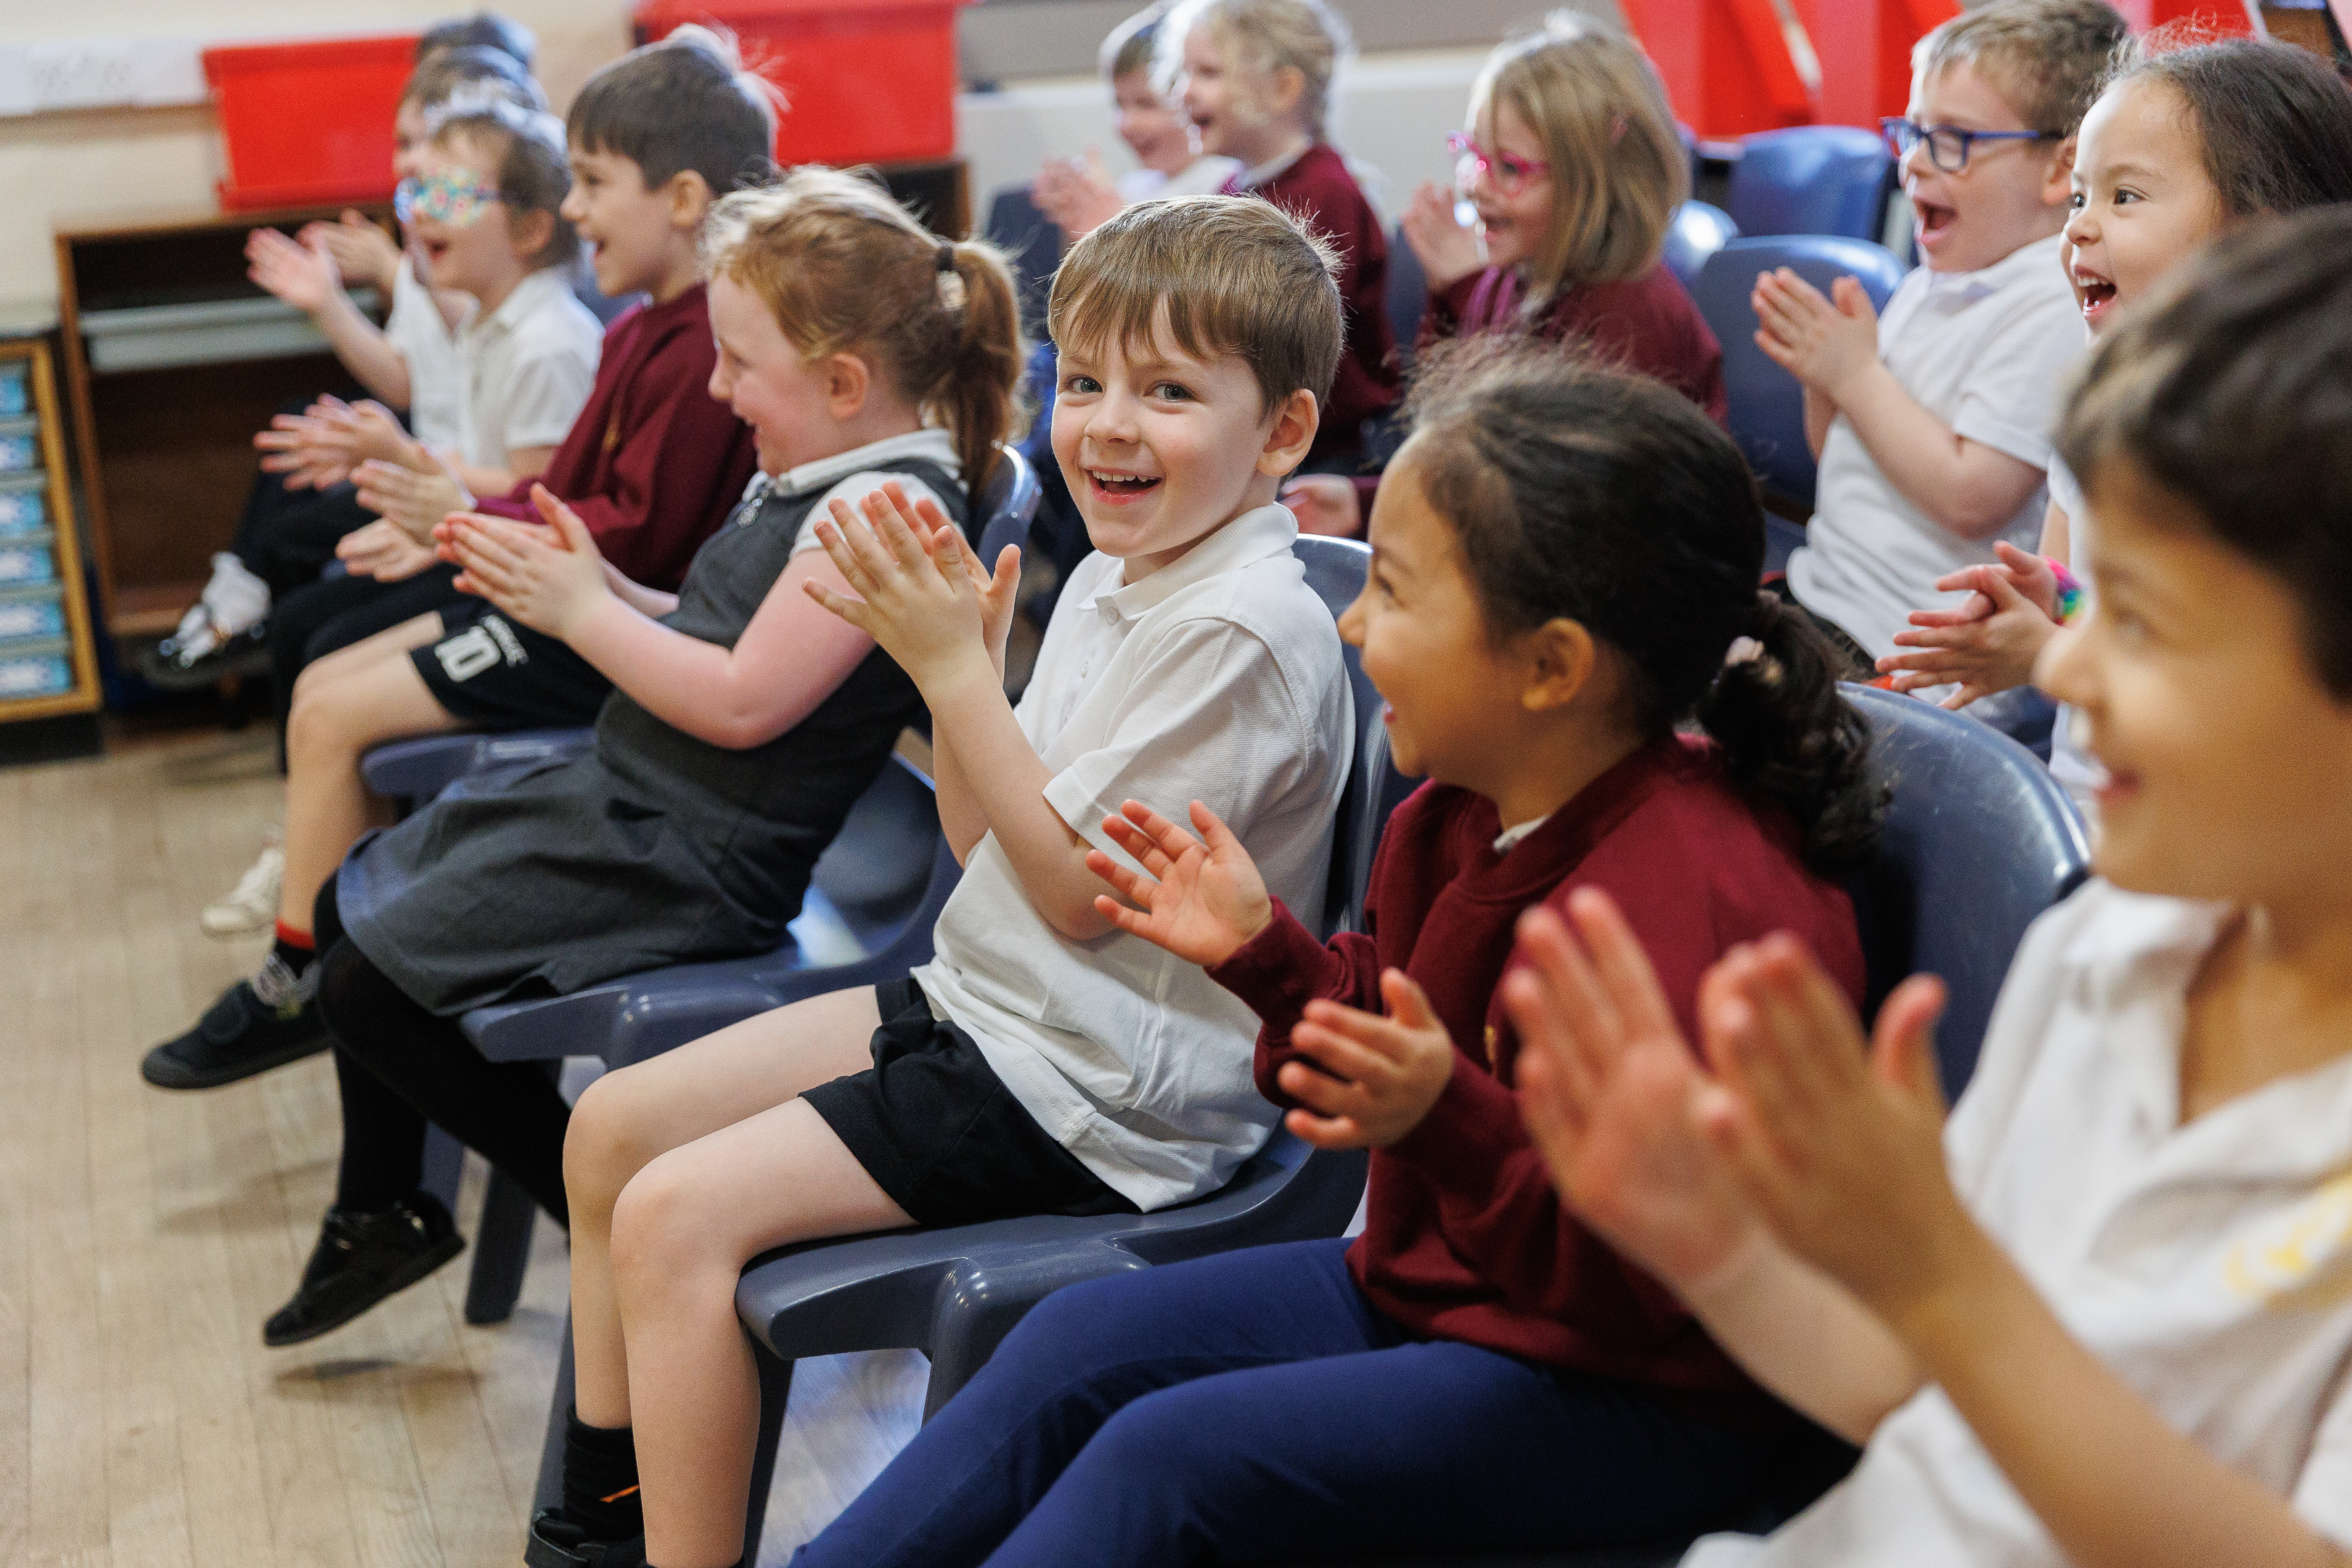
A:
[(1201, 899)]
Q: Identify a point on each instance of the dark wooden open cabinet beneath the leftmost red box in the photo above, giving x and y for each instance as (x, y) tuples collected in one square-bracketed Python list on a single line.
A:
[(173, 361)]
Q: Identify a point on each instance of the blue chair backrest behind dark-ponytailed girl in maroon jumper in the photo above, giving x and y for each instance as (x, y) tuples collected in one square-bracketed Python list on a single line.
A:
[(1979, 840)]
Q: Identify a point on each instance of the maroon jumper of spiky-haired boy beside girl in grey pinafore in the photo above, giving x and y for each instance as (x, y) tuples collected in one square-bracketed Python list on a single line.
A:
[(653, 464)]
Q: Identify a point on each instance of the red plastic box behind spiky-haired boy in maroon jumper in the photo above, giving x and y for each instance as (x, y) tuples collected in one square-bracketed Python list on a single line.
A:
[(864, 81)]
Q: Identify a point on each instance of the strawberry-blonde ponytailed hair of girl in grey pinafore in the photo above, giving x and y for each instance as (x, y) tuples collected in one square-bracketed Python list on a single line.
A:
[(848, 272)]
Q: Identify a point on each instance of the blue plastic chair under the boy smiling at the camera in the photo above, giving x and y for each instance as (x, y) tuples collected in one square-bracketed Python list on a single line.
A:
[(958, 1292)]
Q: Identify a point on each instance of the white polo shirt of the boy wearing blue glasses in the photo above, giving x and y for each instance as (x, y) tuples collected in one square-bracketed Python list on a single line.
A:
[(1989, 356)]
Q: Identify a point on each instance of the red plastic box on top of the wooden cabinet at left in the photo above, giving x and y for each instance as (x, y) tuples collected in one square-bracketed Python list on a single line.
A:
[(309, 123)]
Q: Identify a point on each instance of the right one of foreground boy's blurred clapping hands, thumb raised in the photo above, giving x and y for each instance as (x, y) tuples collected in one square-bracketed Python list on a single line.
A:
[(1836, 1141)]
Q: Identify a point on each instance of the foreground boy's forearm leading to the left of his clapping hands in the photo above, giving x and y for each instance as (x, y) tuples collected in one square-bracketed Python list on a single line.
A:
[(1808, 1339)]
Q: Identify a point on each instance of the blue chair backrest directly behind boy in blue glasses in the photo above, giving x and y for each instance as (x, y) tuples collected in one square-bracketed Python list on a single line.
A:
[(1768, 406)]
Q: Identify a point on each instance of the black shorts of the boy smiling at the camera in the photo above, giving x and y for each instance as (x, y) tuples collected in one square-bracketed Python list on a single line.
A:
[(942, 1134)]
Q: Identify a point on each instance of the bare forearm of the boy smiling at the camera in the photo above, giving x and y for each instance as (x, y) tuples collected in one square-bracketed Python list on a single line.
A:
[(1001, 777)]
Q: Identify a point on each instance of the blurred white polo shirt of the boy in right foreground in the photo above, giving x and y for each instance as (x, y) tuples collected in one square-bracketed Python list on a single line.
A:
[(2210, 1264)]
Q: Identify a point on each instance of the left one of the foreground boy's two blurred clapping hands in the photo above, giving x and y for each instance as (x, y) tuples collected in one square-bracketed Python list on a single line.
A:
[(1612, 1097)]
